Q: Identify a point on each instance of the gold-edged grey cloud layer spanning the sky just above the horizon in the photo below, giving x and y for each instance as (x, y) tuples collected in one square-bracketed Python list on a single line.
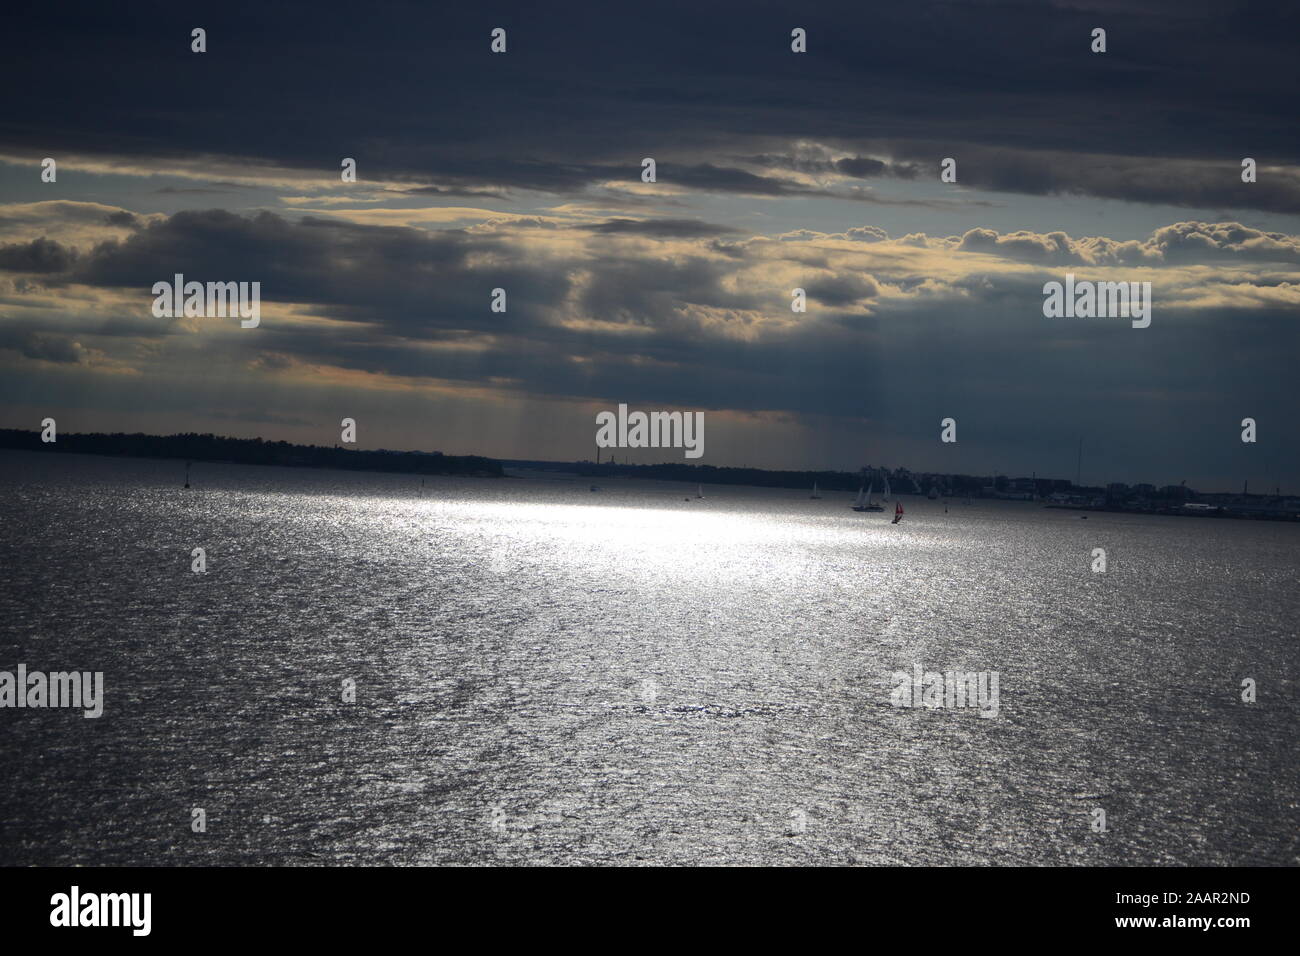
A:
[(900, 332)]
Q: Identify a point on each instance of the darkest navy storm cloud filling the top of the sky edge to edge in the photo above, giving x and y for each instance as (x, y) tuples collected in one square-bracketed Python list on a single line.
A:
[(588, 90)]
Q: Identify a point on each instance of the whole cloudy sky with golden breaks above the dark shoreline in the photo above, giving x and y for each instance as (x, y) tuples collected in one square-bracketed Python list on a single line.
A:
[(775, 171)]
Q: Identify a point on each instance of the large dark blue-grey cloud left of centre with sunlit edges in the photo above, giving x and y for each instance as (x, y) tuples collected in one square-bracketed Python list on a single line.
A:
[(397, 280)]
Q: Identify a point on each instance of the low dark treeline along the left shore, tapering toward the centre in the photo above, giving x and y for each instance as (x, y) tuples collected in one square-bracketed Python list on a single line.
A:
[(214, 448)]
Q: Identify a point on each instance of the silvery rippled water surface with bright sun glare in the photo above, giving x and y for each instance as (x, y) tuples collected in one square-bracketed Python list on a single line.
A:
[(547, 674)]
